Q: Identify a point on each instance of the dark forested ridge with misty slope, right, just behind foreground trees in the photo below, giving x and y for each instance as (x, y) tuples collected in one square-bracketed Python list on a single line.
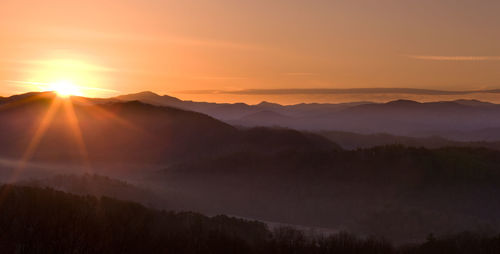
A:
[(398, 192)]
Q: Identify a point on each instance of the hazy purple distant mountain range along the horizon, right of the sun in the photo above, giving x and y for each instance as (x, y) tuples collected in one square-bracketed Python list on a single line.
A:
[(461, 120)]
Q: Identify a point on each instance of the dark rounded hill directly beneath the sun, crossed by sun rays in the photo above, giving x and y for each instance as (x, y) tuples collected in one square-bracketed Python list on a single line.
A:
[(116, 131)]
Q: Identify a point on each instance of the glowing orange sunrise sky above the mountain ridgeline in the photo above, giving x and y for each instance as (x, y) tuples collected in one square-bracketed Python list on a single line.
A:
[(171, 47)]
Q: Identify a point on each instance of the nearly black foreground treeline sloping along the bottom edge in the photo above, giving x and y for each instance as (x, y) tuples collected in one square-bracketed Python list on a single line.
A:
[(36, 220)]
